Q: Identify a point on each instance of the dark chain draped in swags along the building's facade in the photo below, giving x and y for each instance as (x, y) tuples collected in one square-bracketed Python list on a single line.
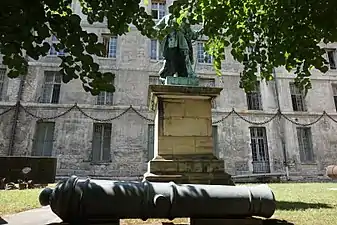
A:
[(131, 108)]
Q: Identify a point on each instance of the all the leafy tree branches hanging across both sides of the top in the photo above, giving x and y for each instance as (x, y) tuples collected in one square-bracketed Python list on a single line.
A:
[(279, 33)]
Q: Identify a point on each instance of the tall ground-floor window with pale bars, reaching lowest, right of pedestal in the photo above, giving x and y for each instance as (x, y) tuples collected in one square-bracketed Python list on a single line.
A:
[(259, 147)]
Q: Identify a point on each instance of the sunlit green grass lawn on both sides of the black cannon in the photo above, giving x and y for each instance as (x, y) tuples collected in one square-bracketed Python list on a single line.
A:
[(309, 203)]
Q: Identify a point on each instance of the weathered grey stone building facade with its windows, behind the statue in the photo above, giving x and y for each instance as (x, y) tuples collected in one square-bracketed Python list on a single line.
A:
[(87, 145)]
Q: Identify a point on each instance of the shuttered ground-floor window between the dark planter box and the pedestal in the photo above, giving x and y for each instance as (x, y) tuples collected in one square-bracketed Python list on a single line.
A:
[(101, 142)]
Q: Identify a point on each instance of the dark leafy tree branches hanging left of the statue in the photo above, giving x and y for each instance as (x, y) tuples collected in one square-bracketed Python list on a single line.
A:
[(26, 25)]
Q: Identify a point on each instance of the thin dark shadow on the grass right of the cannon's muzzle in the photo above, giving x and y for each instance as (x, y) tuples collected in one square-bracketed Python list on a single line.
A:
[(284, 205)]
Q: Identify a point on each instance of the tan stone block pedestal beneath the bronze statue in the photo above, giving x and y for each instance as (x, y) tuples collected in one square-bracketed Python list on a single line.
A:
[(183, 146)]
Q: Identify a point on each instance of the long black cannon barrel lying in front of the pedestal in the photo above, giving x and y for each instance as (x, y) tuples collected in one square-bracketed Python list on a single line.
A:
[(75, 200)]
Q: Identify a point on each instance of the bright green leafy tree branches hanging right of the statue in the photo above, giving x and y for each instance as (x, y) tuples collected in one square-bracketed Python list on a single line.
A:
[(279, 33)]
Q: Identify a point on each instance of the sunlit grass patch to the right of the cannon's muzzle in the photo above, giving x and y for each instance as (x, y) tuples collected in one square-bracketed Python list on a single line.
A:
[(309, 203)]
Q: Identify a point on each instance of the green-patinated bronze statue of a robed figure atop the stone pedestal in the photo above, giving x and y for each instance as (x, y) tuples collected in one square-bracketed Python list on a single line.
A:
[(176, 49)]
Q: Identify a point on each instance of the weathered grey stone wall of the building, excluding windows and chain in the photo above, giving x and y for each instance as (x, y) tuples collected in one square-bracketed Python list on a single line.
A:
[(132, 68)]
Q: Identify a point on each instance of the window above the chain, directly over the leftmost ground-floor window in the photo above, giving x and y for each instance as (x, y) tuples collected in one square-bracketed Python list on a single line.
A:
[(51, 87)]
